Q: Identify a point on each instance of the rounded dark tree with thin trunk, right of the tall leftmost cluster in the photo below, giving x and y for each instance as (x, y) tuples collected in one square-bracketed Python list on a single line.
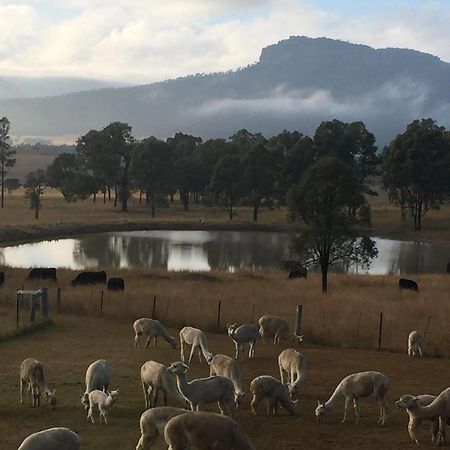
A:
[(151, 168)]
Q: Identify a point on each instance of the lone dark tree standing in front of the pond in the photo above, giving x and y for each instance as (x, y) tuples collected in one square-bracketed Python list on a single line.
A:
[(323, 198)]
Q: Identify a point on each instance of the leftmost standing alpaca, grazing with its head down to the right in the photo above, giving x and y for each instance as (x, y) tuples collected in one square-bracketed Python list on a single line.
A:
[(34, 379)]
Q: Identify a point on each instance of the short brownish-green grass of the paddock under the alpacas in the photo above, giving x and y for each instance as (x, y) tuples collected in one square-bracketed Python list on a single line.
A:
[(74, 342)]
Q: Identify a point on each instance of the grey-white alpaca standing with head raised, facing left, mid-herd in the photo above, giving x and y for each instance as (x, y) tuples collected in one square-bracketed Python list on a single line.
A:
[(204, 390)]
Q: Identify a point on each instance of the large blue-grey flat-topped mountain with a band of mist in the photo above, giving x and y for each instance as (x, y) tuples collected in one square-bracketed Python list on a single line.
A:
[(296, 84)]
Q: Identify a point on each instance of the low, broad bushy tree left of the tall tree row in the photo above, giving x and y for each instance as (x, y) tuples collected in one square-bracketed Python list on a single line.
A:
[(67, 174)]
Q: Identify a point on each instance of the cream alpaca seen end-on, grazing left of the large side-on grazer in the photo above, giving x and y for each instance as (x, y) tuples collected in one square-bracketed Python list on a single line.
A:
[(293, 367)]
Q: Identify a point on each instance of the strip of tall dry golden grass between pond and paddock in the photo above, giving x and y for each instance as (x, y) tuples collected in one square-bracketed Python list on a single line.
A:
[(348, 316)]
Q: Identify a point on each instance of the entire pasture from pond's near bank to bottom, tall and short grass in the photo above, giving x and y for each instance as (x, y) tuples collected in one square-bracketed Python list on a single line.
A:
[(83, 333)]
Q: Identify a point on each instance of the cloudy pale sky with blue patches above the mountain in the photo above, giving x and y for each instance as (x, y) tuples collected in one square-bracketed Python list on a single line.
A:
[(140, 41)]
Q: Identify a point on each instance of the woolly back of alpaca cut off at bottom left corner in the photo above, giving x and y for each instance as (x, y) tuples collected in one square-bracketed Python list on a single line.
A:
[(51, 439)]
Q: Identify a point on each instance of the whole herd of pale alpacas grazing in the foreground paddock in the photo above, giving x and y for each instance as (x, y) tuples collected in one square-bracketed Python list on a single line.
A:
[(185, 427)]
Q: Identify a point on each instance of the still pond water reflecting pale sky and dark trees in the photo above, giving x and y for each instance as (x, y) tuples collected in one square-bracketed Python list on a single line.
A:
[(204, 251)]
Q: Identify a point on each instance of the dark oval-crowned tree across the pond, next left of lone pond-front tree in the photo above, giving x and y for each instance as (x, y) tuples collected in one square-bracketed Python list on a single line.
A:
[(258, 177)]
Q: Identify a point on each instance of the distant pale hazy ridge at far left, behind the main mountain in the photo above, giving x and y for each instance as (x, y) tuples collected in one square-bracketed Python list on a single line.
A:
[(22, 87)]
